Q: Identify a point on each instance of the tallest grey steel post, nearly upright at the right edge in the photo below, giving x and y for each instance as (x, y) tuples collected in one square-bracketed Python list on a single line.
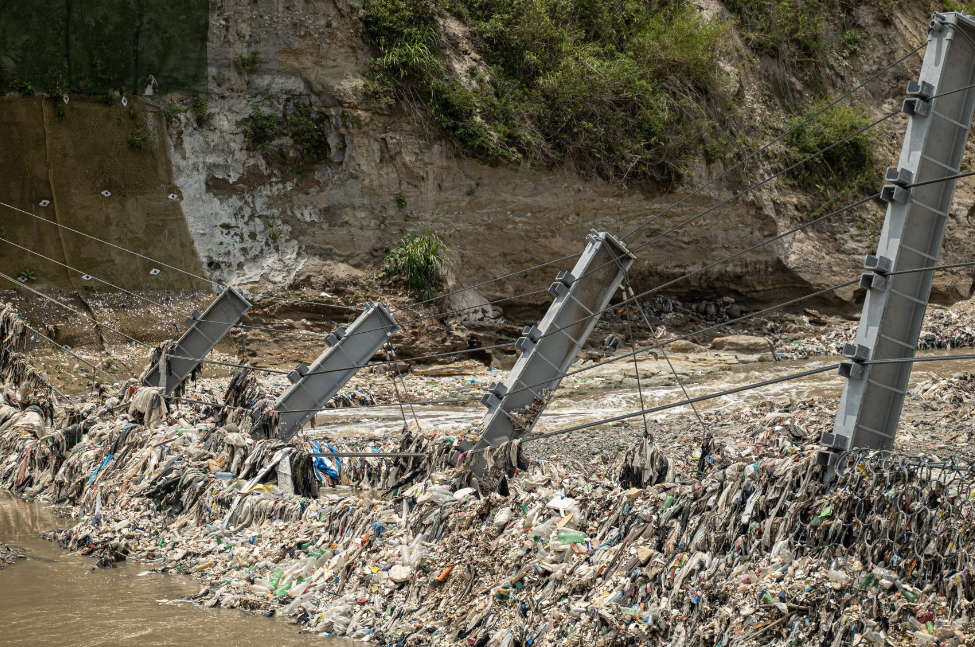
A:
[(940, 106)]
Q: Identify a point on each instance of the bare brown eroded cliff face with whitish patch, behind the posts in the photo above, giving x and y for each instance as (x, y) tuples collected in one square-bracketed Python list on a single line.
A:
[(265, 215)]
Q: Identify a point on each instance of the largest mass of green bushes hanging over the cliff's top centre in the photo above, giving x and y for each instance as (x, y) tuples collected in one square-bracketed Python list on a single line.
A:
[(623, 91)]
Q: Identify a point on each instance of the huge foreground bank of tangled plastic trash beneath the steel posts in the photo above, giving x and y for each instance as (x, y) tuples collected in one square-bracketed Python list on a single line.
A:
[(734, 542)]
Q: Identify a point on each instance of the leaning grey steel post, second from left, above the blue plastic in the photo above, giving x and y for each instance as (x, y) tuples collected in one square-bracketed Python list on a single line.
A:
[(347, 352)]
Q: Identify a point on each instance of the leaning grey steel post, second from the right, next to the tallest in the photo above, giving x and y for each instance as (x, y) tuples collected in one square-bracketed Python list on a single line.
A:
[(548, 349)]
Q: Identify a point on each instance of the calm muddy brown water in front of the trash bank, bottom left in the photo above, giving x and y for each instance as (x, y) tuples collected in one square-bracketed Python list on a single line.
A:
[(53, 599)]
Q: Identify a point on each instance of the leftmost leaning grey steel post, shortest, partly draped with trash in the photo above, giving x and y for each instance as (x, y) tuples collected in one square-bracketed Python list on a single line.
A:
[(204, 333)]
